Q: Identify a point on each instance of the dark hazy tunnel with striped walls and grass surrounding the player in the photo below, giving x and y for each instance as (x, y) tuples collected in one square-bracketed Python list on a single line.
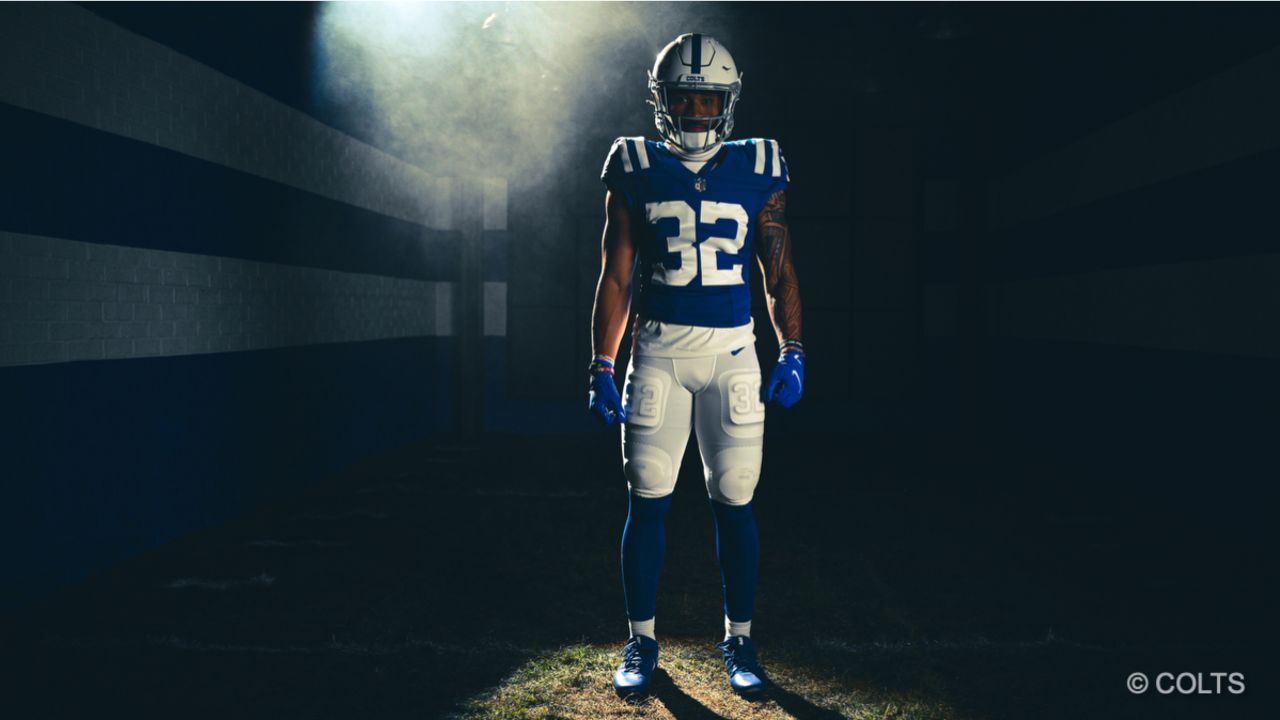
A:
[(296, 315)]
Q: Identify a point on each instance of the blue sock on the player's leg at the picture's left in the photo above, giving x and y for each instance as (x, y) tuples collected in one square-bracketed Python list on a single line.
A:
[(644, 544)]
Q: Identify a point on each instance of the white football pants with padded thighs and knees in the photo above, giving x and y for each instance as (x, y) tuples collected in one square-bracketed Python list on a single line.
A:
[(719, 397)]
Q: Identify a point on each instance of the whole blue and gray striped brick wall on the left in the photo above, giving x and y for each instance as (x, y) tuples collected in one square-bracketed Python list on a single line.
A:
[(208, 299)]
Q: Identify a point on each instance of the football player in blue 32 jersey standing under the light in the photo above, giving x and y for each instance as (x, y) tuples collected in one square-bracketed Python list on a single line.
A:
[(685, 217)]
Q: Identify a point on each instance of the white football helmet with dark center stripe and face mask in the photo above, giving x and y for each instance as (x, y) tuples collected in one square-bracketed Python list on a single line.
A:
[(694, 62)]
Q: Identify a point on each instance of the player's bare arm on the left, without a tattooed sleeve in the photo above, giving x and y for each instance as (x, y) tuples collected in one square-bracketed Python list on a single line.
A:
[(614, 290)]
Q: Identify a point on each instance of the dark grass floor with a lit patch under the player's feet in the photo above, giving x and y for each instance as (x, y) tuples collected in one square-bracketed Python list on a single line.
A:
[(459, 581)]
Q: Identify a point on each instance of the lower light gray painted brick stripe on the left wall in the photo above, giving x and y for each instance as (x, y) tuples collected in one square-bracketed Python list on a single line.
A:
[(65, 300)]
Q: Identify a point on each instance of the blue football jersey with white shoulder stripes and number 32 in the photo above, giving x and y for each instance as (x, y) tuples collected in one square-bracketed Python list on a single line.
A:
[(694, 231)]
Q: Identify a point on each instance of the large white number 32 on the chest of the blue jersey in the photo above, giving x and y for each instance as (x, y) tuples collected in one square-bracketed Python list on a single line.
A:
[(694, 256)]
